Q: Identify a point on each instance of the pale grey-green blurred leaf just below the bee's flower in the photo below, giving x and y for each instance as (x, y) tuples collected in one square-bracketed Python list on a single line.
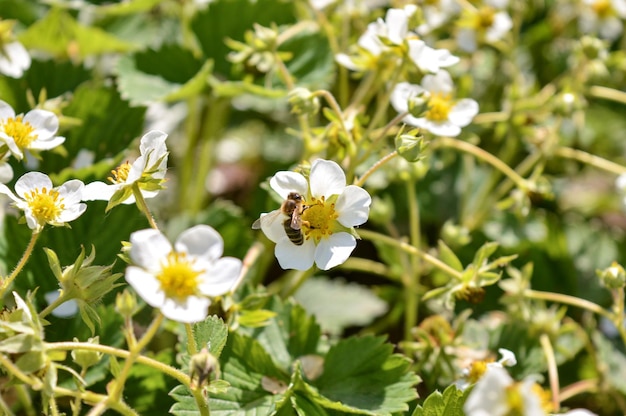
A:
[(337, 305)]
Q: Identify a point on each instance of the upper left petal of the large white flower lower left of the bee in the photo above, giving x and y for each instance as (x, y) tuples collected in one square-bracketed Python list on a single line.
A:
[(149, 248)]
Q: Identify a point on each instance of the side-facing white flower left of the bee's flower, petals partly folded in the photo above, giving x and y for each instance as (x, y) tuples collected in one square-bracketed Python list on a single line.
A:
[(148, 171)]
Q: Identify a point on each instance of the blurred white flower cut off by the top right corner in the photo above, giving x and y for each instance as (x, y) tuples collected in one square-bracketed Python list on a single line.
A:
[(603, 17)]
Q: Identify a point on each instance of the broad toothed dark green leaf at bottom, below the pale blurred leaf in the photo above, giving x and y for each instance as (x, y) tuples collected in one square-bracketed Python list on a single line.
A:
[(365, 375)]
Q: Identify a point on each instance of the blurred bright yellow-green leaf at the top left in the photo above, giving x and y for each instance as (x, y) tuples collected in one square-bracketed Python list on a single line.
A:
[(59, 34)]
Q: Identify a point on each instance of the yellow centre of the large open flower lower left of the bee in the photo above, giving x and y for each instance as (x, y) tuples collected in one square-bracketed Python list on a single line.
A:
[(178, 278)]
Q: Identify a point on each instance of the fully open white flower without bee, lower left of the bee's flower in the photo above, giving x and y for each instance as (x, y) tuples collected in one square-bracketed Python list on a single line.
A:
[(179, 279)]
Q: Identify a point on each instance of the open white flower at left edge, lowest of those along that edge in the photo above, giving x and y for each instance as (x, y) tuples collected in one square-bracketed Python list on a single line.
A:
[(44, 204)]
